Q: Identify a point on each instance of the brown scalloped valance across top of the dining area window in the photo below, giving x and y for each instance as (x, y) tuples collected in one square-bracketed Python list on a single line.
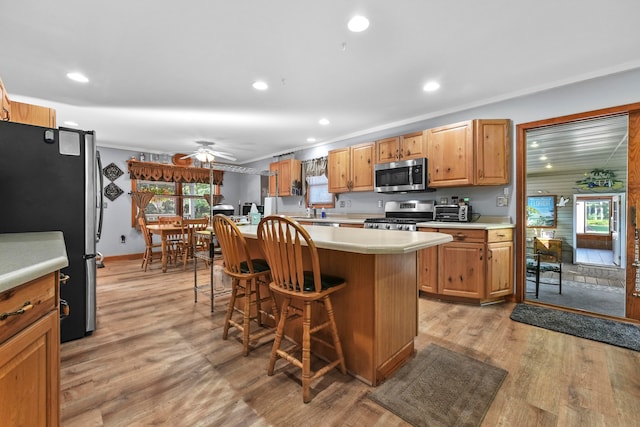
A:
[(149, 171)]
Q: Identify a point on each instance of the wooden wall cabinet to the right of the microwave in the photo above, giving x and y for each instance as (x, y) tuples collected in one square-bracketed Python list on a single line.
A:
[(475, 152)]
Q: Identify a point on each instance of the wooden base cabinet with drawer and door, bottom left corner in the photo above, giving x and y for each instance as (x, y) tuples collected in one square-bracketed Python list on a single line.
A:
[(30, 354)]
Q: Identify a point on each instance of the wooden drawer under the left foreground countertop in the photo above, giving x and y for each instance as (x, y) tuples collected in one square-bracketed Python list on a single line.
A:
[(41, 293)]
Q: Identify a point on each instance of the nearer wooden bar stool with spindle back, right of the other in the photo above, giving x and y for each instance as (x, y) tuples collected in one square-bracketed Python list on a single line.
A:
[(286, 245)]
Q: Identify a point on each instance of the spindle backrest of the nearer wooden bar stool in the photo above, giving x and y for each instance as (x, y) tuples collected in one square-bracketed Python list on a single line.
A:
[(284, 243)]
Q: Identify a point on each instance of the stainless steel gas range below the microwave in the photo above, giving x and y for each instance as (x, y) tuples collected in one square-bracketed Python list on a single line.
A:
[(403, 215)]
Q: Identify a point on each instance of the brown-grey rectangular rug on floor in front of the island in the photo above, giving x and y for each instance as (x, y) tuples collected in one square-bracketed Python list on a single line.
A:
[(440, 387)]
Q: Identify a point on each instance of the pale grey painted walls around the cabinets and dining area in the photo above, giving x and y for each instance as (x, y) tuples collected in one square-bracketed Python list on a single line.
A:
[(616, 89)]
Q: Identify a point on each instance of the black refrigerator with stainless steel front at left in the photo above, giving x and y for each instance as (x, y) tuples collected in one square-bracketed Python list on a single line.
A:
[(52, 181)]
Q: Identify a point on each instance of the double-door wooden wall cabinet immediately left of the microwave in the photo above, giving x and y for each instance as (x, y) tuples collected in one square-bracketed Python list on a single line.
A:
[(351, 168)]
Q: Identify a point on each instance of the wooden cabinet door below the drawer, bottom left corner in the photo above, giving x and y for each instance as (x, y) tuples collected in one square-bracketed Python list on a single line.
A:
[(29, 375)]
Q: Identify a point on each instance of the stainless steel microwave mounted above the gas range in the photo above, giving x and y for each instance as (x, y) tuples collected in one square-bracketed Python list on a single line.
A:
[(401, 176)]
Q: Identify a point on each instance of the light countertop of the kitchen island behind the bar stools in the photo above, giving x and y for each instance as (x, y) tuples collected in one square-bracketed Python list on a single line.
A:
[(365, 241)]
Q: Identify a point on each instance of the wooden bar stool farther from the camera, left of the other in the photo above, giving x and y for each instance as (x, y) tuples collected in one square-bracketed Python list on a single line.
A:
[(246, 275)]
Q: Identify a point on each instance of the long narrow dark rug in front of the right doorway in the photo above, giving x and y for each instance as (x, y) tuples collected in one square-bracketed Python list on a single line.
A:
[(593, 328)]
